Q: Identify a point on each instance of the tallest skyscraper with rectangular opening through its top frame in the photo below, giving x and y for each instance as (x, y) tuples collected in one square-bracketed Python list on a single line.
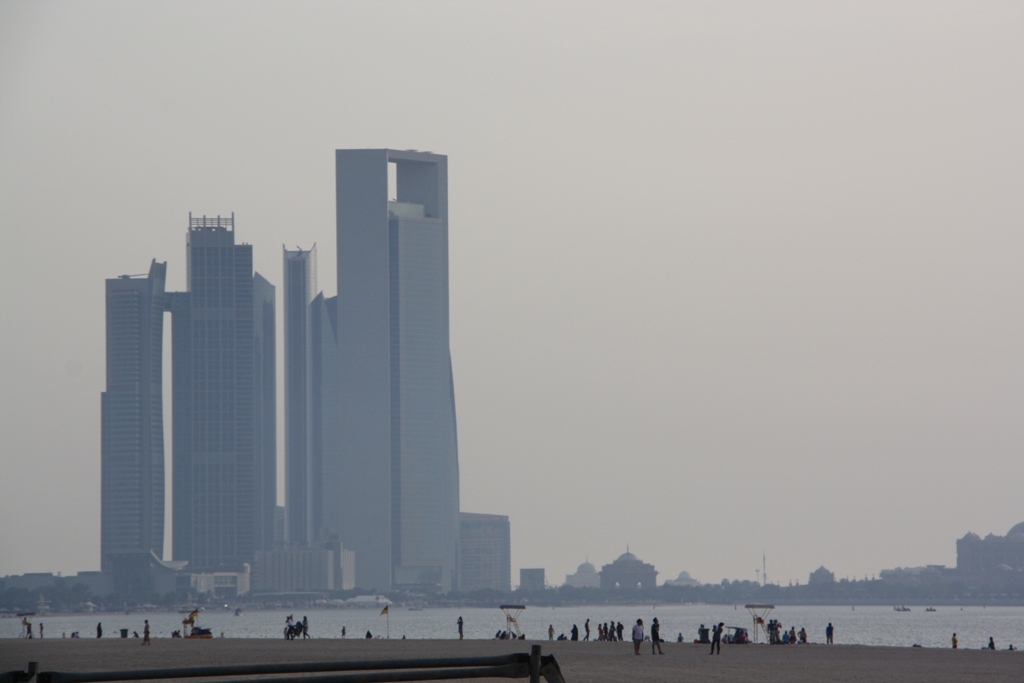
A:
[(400, 493)]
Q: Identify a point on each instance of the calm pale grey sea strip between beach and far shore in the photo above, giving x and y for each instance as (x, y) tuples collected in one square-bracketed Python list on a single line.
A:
[(865, 626)]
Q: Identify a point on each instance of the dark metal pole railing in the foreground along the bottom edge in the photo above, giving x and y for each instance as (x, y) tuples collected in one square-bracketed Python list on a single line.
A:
[(533, 666)]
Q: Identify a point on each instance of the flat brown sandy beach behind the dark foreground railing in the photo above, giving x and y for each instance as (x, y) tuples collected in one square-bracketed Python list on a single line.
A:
[(581, 663)]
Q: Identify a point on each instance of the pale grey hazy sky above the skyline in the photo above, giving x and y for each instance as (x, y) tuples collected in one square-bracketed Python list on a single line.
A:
[(726, 277)]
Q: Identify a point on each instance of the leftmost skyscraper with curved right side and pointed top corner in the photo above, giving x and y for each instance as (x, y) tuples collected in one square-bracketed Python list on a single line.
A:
[(133, 420)]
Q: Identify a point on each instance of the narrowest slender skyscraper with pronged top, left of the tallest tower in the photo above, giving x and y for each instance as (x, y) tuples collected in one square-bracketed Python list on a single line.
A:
[(301, 287)]
